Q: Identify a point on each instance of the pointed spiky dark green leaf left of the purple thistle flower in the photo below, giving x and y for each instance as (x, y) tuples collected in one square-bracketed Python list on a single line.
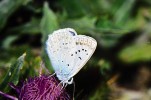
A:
[(13, 73)]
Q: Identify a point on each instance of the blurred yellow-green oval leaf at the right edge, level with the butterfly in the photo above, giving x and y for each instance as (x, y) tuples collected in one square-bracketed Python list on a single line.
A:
[(135, 53)]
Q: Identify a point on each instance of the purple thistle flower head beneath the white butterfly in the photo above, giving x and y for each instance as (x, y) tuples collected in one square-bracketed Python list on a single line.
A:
[(39, 88)]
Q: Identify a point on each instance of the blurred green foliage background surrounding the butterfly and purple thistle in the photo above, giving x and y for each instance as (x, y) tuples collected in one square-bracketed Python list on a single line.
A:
[(120, 68)]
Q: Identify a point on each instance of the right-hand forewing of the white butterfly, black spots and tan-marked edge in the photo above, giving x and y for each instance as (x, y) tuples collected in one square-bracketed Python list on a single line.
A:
[(85, 47)]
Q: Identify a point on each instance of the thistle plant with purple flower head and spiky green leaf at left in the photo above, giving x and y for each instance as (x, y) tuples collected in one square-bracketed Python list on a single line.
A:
[(42, 87)]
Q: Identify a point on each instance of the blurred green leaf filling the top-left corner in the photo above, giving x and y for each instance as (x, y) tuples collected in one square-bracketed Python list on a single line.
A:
[(7, 7)]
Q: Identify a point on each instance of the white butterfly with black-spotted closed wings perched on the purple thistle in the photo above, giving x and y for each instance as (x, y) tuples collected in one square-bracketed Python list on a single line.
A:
[(69, 52)]
